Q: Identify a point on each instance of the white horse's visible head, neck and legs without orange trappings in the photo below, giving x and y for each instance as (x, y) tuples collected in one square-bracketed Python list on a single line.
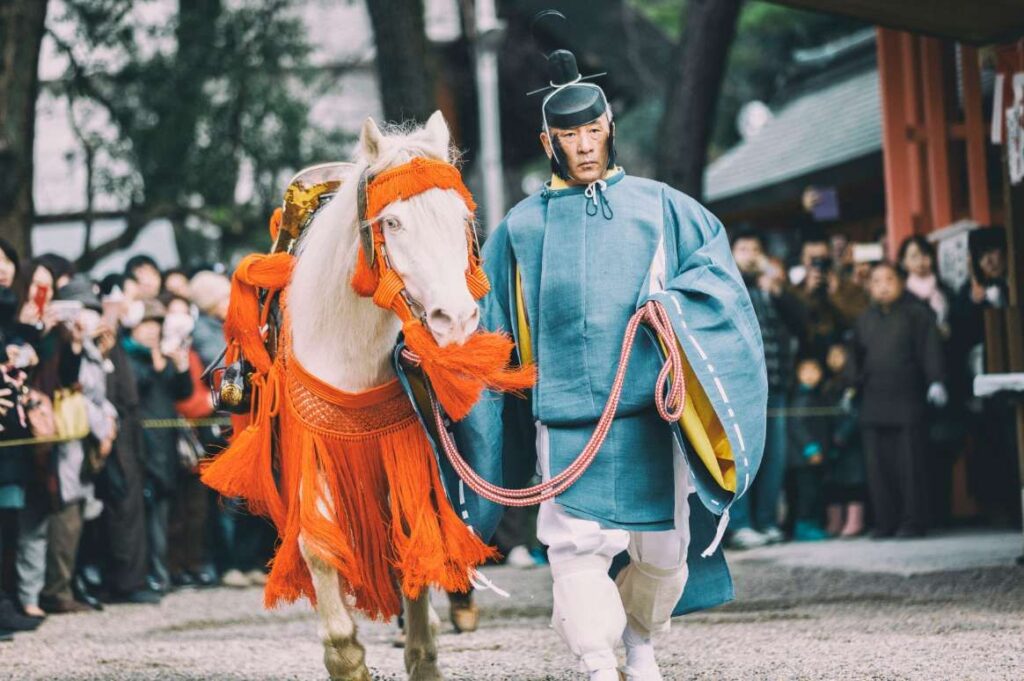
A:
[(347, 342)]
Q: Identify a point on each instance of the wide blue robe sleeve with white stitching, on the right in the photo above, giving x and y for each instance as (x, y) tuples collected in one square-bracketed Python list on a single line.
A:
[(712, 315)]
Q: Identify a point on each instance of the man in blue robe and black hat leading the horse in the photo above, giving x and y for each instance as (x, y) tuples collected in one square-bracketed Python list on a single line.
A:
[(570, 267)]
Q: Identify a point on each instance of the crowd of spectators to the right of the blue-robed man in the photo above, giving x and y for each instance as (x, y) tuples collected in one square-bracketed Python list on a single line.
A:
[(871, 366)]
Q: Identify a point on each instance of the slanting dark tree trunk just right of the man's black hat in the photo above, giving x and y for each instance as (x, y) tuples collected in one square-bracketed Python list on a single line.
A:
[(695, 84)]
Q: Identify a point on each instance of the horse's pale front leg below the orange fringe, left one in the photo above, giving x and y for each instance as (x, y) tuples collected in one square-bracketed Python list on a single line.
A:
[(344, 656)]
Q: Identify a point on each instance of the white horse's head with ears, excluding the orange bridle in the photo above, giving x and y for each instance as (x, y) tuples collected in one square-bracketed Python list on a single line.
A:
[(425, 236)]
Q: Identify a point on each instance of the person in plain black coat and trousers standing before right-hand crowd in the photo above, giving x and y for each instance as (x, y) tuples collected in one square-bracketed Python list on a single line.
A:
[(898, 364)]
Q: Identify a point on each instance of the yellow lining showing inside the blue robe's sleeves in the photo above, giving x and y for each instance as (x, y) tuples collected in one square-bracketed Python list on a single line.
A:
[(700, 422)]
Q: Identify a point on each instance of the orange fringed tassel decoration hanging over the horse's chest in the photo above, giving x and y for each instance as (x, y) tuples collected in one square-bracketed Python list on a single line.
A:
[(359, 482)]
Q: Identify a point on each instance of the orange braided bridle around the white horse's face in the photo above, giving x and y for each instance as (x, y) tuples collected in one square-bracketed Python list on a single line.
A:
[(374, 276)]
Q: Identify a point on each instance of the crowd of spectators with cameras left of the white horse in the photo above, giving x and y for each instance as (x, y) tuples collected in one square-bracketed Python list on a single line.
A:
[(100, 493)]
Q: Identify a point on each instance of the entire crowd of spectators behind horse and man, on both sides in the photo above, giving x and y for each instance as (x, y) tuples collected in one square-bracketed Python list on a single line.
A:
[(870, 367)]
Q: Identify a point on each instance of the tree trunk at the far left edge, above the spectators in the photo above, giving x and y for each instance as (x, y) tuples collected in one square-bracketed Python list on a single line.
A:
[(22, 27)]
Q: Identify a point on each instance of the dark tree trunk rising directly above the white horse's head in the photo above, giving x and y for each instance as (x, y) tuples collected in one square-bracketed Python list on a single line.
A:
[(403, 60)]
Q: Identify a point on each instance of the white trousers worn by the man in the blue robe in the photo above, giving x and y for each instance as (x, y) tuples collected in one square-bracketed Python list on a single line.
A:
[(591, 611)]
